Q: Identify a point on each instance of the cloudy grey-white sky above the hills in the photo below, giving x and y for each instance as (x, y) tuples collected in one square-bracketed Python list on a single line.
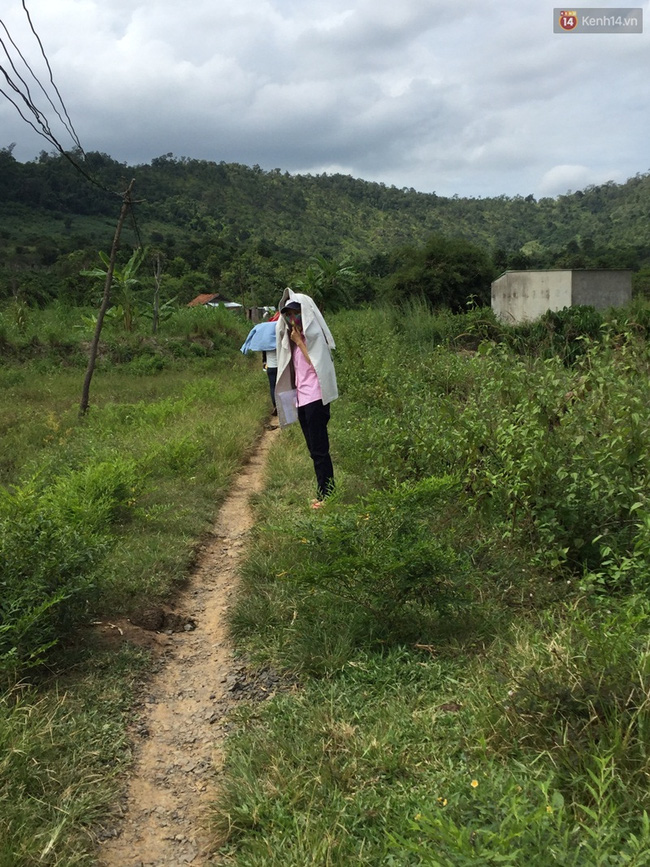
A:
[(478, 98)]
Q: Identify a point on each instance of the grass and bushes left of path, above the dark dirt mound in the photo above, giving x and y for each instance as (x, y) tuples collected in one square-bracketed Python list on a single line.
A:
[(84, 523)]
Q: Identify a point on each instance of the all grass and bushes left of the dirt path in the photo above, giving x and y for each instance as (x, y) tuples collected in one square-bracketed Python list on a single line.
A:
[(96, 516)]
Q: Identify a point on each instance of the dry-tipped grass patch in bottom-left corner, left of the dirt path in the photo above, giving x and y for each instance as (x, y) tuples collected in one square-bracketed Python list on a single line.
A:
[(64, 747)]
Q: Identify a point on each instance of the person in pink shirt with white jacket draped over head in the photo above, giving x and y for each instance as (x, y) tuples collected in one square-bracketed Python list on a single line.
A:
[(306, 380)]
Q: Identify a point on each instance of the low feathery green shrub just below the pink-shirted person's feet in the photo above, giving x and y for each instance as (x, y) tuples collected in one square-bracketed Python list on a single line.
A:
[(382, 557)]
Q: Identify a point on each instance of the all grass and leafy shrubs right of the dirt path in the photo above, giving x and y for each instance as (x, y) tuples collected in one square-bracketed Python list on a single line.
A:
[(504, 718)]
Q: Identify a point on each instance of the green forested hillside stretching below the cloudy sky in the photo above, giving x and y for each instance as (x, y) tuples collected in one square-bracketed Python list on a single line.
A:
[(247, 232)]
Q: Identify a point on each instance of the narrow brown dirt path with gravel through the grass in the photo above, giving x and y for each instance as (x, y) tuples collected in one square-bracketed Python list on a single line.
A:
[(181, 729)]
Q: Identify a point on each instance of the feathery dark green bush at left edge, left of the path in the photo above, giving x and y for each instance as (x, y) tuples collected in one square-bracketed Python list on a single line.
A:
[(50, 542)]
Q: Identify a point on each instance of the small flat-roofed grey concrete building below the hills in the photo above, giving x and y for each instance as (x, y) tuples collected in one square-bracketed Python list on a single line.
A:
[(521, 296)]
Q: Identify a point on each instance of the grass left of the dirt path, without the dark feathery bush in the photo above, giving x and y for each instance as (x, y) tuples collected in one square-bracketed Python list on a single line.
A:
[(180, 435)]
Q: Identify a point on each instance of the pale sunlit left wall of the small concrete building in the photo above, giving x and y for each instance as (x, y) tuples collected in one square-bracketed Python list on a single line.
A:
[(521, 296)]
